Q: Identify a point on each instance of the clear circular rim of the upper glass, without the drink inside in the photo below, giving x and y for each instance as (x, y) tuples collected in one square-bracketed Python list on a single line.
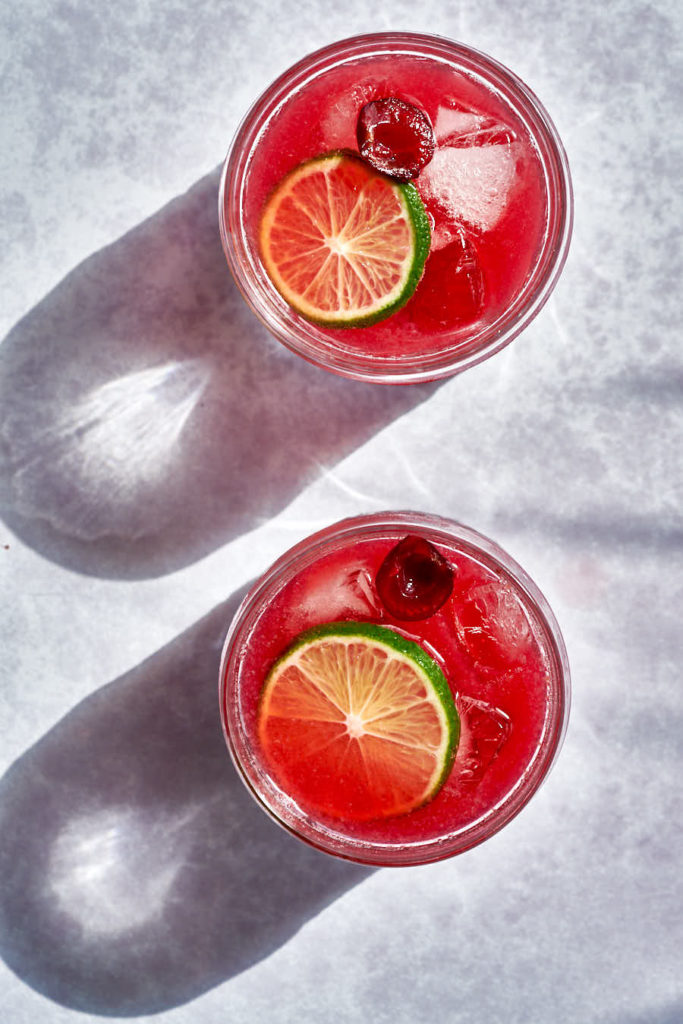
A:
[(446, 362)]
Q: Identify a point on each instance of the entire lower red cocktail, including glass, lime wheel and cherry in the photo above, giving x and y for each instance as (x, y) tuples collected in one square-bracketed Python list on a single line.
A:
[(395, 690)]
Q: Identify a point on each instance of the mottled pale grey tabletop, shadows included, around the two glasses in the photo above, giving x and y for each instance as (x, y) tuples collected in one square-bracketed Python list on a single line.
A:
[(158, 451)]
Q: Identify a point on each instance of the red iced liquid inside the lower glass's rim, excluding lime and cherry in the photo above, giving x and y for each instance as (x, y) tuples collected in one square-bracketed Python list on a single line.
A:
[(488, 638)]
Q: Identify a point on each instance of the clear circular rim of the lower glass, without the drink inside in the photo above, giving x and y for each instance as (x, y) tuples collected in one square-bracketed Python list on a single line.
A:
[(279, 806)]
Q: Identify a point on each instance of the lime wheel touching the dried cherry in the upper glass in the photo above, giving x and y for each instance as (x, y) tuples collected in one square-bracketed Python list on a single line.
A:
[(344, 245)]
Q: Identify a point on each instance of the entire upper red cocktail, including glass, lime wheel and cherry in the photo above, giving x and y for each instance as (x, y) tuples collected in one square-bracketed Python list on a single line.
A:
[(494, 192)]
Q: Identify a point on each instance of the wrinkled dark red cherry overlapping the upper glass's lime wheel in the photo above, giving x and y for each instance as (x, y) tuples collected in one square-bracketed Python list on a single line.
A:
[(396, 138)]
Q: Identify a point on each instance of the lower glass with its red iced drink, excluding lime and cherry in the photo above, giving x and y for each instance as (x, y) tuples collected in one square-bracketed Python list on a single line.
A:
[(496, 639)]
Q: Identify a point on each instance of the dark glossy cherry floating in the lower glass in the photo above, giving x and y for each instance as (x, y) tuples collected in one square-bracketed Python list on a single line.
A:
[(415, 580)]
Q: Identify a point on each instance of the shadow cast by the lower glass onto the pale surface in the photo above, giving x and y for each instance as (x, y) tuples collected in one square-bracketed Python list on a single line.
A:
[(137, 871)]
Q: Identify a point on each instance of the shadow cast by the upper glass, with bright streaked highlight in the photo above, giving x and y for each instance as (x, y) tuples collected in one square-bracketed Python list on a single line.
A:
[(147, 417)]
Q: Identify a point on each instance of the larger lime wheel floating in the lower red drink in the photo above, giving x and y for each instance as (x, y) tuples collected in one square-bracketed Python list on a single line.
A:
[(358, 722)]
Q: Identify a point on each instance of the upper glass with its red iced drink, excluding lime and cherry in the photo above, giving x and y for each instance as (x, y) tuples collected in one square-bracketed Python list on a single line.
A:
[(498, 194)]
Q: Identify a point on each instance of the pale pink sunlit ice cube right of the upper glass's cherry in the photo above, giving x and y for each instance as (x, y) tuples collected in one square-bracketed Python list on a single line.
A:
[(471, 183)]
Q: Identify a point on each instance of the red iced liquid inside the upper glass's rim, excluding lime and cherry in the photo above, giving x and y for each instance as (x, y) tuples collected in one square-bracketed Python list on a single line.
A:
[(484, 190)]
